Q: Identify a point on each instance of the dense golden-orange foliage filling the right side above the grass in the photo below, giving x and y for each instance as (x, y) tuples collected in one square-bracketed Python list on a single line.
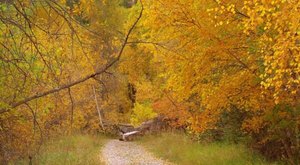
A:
[(222, 54)]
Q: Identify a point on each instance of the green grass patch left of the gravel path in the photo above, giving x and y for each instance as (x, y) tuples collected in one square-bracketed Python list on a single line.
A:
[(70, 150)]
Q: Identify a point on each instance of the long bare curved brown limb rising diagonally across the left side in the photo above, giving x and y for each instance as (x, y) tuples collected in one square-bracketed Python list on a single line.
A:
[(87, 77)]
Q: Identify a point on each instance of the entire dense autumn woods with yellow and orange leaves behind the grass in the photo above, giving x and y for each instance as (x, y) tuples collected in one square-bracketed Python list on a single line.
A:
[(216, 69)]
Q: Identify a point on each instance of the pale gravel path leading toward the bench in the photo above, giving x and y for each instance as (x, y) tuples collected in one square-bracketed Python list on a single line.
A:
[(117, 152)]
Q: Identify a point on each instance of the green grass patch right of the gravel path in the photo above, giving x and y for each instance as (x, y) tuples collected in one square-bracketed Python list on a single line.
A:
[(179, 149)]
